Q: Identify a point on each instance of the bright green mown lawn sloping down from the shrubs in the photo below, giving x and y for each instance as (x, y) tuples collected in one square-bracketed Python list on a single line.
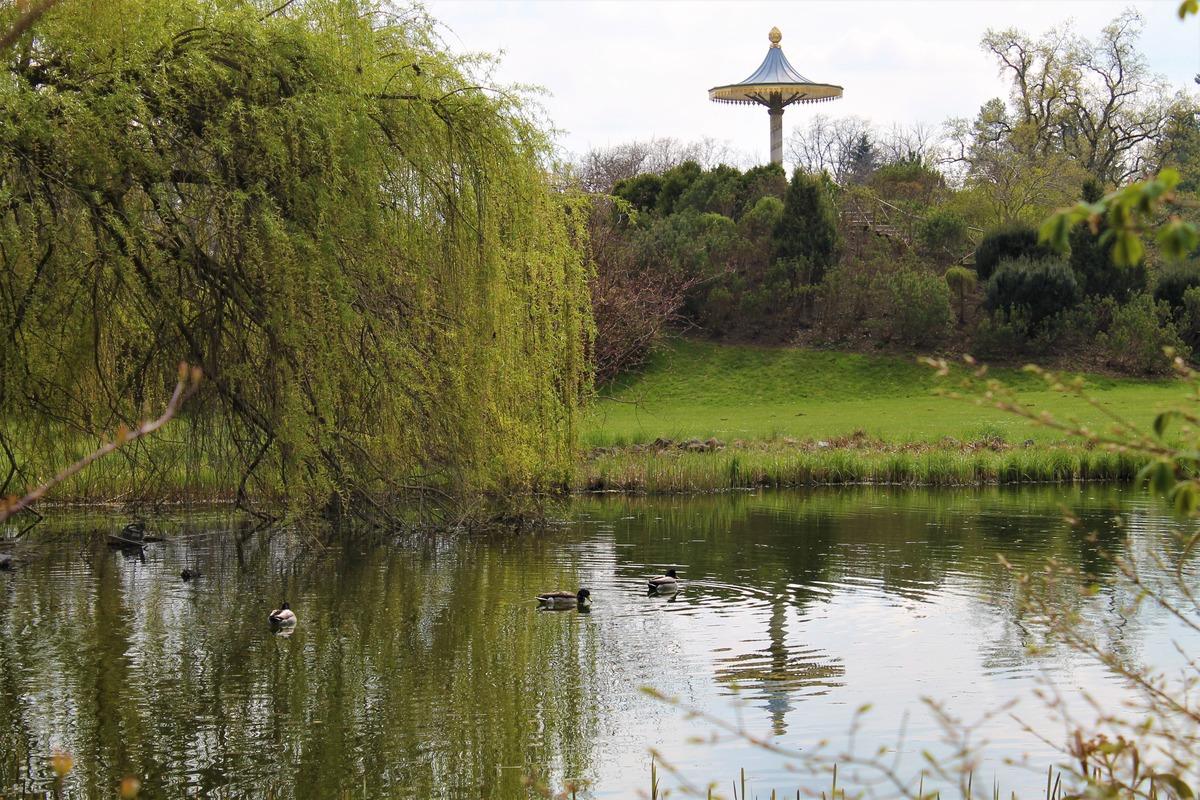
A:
[(699, 389)]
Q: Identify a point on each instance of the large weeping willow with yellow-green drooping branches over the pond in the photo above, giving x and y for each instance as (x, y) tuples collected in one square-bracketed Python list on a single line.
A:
[(315, 203)]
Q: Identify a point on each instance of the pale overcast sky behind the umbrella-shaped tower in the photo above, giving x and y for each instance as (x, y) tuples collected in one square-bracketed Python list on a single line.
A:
[(619, 71)]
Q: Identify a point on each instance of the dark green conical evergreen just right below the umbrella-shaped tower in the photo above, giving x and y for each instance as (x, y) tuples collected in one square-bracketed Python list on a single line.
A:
[(808, 228)]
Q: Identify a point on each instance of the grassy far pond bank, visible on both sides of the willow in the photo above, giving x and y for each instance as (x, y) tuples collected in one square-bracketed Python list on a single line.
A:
[(695, 466)]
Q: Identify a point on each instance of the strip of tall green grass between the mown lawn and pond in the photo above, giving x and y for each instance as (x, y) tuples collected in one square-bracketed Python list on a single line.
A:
[(669, 467)]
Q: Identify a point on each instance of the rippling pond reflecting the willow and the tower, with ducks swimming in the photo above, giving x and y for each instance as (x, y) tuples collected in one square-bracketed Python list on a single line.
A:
[(425, 670)]
